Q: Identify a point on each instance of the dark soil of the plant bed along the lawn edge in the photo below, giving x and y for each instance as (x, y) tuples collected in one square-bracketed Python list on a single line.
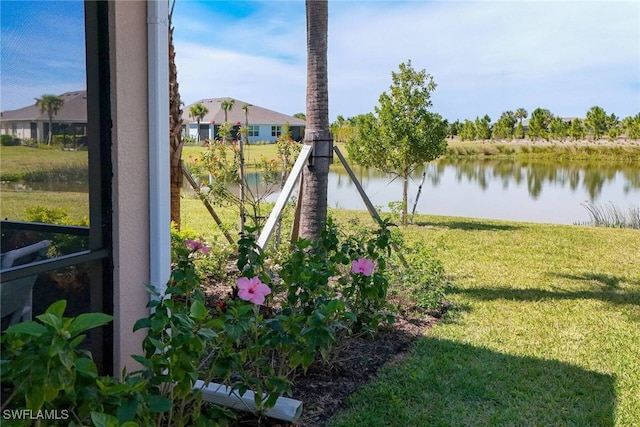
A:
[(324, 388)]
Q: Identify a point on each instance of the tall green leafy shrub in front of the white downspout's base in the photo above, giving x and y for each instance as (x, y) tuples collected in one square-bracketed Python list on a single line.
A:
[(179, 332)]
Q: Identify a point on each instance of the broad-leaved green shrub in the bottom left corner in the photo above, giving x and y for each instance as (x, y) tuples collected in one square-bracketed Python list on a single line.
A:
[(46, 369)]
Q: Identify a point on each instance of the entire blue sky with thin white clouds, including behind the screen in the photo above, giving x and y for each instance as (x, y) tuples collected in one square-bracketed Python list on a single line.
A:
[(485, 56)]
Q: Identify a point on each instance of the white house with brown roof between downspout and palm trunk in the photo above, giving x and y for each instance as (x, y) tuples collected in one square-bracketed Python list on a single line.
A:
[(264, 124)]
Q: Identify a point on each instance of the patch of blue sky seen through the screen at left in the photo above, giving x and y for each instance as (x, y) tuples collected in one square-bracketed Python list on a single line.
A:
[(41, 50)]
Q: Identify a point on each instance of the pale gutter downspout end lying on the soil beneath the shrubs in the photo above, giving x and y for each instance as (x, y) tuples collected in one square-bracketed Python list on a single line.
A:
[(285, 409)]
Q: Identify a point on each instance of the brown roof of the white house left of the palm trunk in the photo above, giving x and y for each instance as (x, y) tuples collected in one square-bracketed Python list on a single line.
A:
[(257, 115)]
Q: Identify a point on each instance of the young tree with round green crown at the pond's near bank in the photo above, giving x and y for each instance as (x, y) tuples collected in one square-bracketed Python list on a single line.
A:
[(403, 133)]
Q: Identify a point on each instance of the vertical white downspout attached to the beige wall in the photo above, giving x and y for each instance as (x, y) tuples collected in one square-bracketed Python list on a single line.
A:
[(159, 171)]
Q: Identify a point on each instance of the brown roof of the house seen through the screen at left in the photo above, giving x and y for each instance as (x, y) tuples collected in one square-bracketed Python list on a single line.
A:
[(73, 110)]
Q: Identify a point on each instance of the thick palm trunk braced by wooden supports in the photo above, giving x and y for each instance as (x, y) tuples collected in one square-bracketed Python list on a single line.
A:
[(315, 177)]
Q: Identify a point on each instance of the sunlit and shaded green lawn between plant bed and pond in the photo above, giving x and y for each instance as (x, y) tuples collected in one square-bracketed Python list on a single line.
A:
[(544, 332)]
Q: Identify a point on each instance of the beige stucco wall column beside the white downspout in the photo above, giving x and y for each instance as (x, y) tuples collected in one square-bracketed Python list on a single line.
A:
[(128, 50)]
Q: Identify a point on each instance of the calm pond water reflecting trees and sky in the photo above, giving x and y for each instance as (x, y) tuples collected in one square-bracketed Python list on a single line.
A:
[(534, 191)]
